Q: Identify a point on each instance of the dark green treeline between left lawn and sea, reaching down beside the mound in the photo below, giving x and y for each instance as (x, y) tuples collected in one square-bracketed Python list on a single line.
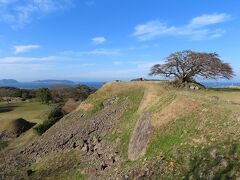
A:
[(62, 99)]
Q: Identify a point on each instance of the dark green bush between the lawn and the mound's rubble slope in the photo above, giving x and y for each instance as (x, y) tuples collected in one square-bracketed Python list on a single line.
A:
[(55, 115)]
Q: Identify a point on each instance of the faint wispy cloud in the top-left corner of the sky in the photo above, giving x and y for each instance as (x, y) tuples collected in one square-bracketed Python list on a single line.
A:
[(17, 13)]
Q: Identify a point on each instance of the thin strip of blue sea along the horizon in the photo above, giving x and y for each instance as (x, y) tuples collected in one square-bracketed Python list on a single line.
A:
[(35, 85)]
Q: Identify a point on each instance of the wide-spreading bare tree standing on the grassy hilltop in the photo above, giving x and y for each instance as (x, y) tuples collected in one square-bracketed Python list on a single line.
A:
[(185, 66)]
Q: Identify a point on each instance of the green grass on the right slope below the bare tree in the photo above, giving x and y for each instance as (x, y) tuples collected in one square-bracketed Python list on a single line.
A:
[(217, 122)]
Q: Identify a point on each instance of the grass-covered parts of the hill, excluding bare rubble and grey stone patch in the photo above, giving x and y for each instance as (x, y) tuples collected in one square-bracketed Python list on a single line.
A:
[(196, 136)]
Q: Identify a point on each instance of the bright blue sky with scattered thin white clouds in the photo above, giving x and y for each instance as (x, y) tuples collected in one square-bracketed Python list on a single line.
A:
[(96, 40)]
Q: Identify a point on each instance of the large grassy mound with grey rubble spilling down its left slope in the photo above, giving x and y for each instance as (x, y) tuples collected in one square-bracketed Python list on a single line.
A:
[(133, 130)]
